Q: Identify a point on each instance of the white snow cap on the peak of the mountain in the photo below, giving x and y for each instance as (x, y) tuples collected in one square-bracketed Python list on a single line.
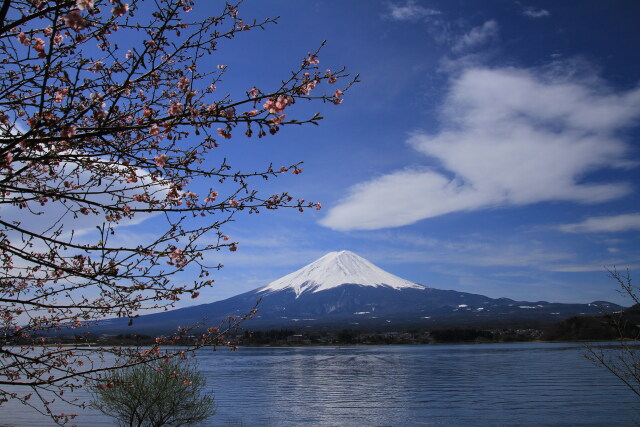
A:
[(335, 269)]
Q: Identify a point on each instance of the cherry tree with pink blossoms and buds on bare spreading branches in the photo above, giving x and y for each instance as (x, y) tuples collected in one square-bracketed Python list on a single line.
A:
[(110, 115)]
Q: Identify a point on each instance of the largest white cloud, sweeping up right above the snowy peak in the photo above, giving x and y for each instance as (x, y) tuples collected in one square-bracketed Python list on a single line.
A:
[(508, 137)]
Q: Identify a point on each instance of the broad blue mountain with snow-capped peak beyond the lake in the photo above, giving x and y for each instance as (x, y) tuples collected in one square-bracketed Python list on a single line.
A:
[(344, 290)]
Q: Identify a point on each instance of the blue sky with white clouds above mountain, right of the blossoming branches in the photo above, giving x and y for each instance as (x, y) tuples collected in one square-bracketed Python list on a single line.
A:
[(491, 147)]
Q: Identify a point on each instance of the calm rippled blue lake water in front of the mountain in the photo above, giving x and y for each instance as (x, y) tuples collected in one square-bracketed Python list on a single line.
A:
[(495, 384)]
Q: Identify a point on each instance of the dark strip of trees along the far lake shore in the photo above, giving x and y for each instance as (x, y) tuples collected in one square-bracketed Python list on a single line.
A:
[(577, 328)]
